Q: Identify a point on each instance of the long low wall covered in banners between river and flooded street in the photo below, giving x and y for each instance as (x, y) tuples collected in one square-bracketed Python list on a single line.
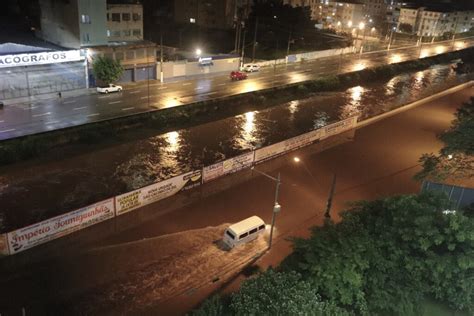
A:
[(39, 233)]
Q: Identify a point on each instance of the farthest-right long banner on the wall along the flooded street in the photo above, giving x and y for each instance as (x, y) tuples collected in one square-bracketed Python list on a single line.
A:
[(285, 146)]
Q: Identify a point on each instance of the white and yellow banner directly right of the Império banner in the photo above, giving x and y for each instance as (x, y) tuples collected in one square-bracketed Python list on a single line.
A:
[(132, 200)]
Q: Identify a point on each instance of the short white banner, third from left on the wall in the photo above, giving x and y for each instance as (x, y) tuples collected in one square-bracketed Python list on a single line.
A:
[(227, 166)]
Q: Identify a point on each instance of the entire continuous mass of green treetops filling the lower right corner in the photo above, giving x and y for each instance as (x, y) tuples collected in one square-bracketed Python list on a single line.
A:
[(384, 258)]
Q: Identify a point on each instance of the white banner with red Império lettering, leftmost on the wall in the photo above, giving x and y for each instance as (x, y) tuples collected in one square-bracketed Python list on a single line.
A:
[(59, 226)]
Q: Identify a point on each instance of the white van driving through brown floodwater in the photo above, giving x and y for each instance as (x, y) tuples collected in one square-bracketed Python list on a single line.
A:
[(243, 231)]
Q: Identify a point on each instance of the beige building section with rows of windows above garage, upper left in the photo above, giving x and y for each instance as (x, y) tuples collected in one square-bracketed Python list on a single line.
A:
[(124, 22)]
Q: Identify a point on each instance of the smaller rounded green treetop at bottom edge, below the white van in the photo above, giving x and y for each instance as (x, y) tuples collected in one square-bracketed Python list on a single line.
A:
[(280, 293)]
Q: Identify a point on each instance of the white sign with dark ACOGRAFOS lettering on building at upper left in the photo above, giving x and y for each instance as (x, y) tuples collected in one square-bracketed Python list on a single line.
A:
[(40, 58)]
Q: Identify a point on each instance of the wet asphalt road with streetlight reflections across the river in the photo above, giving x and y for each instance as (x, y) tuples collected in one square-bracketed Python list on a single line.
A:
[(31, 118)]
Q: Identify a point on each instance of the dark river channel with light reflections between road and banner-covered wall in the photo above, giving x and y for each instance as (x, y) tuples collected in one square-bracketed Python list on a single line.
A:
[(63, 181)]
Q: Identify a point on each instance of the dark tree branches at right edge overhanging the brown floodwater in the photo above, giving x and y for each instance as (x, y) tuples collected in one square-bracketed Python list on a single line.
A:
[(455, 159)]
